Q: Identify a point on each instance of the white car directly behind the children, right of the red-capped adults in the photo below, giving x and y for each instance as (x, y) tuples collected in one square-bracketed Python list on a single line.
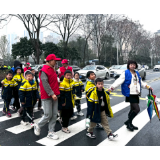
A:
[(100, 71)]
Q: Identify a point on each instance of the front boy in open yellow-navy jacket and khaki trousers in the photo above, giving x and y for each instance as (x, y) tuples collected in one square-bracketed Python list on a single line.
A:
[(99, 107)]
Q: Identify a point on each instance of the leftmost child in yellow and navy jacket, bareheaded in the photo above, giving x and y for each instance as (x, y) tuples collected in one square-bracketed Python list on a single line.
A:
[(7, 92)]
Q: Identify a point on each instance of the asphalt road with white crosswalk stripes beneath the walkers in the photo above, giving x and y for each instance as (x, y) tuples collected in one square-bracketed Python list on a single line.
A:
[(14, 134)]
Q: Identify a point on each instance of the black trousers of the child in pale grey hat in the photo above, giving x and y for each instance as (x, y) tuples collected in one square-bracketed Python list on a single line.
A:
[(28, 111)]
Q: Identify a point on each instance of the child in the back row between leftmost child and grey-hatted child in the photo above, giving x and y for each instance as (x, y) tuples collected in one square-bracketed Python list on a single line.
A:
[(18, 77)]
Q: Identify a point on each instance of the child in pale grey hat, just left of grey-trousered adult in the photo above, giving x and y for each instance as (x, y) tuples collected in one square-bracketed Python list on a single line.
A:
[(29, 95)]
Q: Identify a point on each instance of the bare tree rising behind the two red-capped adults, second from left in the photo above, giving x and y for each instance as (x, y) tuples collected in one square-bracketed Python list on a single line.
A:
[(66, 26)]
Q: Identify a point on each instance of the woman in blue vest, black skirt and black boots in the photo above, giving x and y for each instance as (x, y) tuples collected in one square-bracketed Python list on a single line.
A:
[(131, 84)]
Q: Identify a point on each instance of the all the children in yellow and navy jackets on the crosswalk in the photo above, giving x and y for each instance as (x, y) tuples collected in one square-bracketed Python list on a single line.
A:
[(25, 88)]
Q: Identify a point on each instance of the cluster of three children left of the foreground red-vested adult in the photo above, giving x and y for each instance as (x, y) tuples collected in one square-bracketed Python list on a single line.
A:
[(24, 89)]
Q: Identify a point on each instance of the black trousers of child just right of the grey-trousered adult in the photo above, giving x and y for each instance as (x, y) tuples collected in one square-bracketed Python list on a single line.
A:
[(66, 115)]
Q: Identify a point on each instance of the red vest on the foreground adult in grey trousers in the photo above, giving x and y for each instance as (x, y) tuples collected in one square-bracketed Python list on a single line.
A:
[(52, 80)]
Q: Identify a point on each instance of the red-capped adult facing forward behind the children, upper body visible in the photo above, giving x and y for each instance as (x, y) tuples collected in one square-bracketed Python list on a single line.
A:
[(65, 67)]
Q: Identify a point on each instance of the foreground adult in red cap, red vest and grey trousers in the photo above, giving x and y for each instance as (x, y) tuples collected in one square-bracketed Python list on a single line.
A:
[(49, 89)]
